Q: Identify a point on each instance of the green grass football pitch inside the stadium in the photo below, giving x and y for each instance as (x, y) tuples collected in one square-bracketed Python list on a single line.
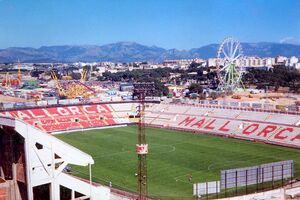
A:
[(173, 157)]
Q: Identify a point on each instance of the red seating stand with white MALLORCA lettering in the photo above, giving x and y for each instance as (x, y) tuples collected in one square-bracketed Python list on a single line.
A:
[(64, 118)]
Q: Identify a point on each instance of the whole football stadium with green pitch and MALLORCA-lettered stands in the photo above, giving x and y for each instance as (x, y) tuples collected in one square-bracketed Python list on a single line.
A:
[(195, 151)]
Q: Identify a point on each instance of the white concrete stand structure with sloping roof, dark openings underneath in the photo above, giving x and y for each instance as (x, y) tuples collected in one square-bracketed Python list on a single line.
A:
[(32, 166)]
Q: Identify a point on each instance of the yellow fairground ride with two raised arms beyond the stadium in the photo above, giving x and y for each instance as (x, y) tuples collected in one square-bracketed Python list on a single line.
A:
[(71, 89)]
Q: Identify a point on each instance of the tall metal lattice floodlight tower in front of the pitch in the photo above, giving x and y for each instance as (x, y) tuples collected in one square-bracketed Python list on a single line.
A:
[(141, 90)]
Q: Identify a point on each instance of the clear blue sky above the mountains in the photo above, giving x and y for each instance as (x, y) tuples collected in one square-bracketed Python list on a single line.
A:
[(181, 24)]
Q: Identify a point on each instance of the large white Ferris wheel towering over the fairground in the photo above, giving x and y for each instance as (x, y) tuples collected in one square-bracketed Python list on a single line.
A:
[(230, 65)]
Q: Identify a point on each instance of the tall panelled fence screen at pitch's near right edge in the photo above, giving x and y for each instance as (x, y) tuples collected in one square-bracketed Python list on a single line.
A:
[(242, 181)]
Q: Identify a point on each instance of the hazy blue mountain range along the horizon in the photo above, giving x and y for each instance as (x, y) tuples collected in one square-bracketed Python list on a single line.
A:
[(131, 51)]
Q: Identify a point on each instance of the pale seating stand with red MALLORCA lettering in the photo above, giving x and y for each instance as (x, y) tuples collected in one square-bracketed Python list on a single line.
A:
[(276, 128)]
